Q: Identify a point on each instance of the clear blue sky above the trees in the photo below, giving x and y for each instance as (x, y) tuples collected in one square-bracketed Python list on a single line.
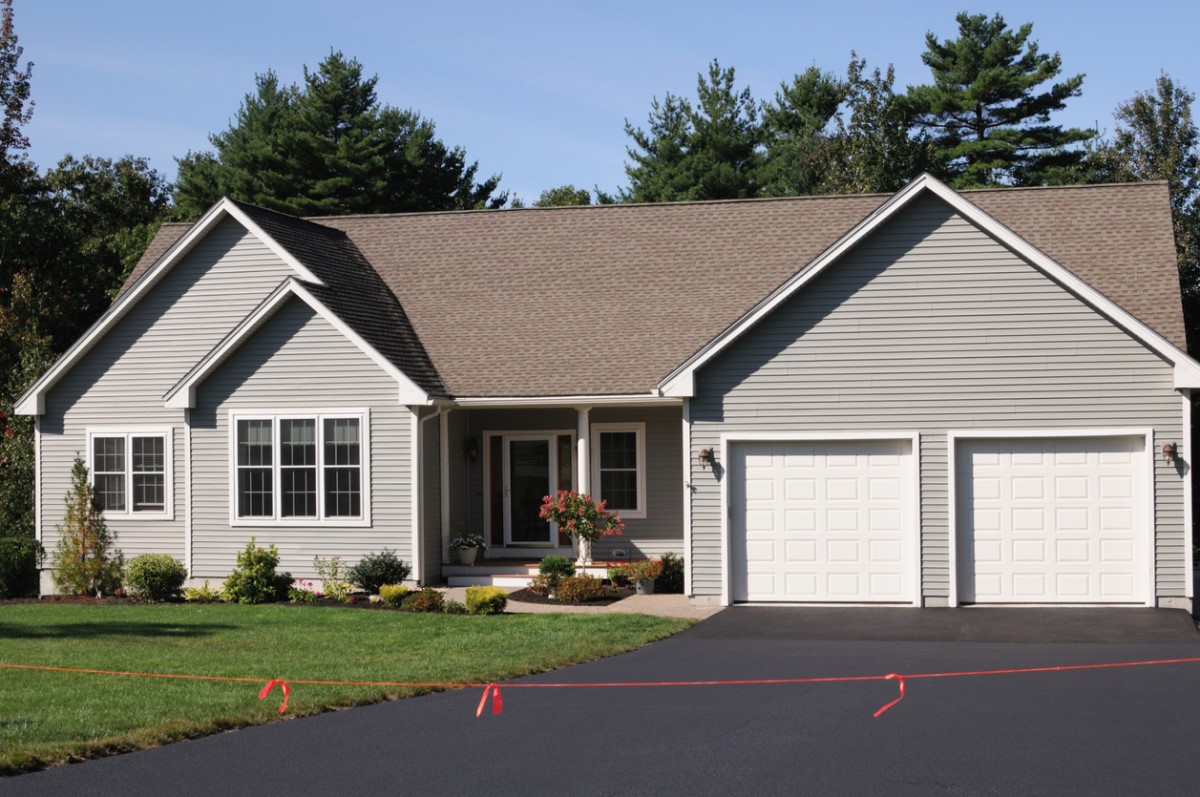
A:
[(538, 92)]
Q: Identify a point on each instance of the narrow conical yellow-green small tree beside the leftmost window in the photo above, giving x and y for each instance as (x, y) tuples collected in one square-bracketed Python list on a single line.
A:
[(87, 562)]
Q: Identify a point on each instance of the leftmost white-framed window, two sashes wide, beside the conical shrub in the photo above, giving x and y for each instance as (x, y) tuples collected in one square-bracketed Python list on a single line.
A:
[(130, 471)]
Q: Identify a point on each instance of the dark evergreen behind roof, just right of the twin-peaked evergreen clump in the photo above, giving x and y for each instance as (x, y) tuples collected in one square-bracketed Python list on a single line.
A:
[(796, 131)]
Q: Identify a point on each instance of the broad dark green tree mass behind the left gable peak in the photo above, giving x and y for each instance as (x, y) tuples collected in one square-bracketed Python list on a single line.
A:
[(327, 148)]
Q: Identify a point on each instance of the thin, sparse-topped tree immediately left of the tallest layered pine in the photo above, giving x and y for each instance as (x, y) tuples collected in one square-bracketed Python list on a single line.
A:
[(877, 149)]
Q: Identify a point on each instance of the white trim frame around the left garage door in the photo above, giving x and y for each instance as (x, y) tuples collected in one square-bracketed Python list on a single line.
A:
[(735, 439)]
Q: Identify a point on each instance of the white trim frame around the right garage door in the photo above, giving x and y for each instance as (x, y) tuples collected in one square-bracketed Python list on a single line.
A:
[(1148, 475)]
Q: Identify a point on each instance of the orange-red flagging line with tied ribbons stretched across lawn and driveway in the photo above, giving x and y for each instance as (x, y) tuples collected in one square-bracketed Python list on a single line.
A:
[(494, 690)]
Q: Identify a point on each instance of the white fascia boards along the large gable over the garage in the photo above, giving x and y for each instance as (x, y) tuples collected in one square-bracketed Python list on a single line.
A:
[(1187, 371)]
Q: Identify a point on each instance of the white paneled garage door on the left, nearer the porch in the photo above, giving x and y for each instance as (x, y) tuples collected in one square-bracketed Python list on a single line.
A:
[(824, 522)]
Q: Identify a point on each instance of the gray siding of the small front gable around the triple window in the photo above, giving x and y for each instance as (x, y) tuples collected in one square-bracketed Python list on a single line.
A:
[(298, 363)]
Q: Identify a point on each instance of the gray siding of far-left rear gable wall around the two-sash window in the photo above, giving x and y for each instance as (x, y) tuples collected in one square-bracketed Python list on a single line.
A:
[(122, 381)]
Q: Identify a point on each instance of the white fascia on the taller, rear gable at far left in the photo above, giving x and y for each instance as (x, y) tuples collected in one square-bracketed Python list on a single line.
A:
[(33, 403)]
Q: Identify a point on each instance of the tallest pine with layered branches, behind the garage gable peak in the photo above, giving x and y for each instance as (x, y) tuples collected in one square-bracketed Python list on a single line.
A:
[(987, 111)]
